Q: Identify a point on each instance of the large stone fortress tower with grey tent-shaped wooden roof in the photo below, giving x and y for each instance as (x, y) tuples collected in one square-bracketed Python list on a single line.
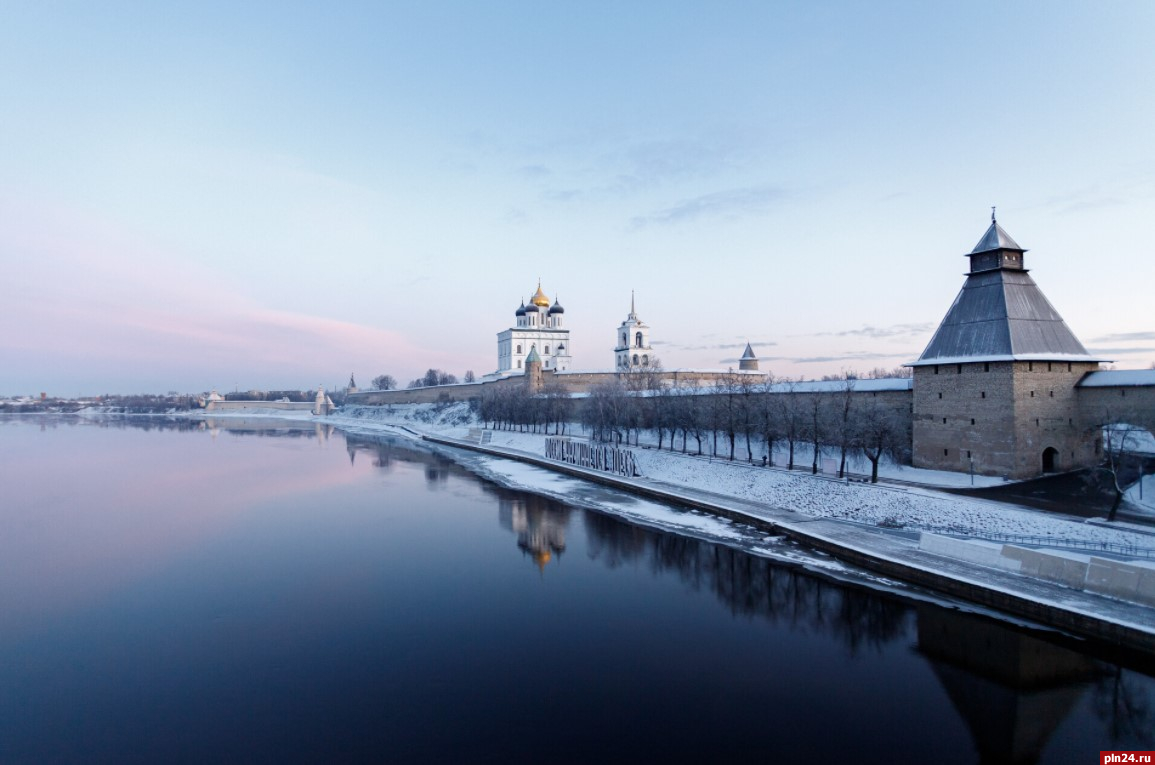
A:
[(995, 391)]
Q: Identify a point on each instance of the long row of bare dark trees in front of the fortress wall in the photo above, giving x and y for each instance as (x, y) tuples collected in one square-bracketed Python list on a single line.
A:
[(732, 419)]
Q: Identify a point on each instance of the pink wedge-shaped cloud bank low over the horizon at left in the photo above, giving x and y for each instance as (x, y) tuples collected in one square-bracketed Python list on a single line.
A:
[(90, 299)]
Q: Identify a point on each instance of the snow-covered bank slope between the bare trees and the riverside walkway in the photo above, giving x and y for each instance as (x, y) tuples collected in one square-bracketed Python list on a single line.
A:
[(815, 496)]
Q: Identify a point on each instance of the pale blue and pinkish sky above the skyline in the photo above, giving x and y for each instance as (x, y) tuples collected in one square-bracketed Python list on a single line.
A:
[(199, 196)]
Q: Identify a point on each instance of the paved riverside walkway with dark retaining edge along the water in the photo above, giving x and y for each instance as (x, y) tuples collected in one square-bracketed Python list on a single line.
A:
[(893, 555)]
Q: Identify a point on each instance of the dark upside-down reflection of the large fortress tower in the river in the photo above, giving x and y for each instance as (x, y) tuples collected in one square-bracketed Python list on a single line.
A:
[(1012, 690)]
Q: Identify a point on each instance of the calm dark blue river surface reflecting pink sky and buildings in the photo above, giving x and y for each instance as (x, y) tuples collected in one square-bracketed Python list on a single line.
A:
[(245, 593)]
